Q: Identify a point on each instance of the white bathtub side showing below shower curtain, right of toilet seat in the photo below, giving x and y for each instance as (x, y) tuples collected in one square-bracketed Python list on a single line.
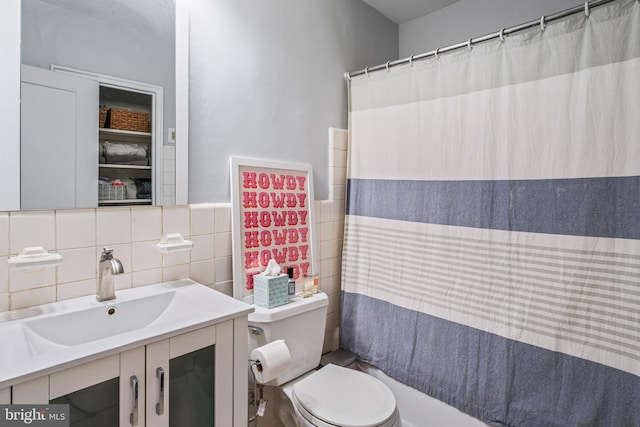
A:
[(419, 410)]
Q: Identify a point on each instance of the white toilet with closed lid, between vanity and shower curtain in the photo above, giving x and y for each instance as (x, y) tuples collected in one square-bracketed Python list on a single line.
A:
[(327, 397)]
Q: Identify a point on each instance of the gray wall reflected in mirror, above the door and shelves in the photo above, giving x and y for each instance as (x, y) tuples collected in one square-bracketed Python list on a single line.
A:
[(133, 40)]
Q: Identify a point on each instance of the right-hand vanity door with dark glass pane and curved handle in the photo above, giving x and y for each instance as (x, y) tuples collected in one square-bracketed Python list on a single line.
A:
[(181, 380)]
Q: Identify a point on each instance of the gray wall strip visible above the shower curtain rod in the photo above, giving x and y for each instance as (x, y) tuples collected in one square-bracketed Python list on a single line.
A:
[(472, 18)]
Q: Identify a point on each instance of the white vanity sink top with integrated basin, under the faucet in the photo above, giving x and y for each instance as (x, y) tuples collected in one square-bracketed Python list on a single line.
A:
[(46, 338)]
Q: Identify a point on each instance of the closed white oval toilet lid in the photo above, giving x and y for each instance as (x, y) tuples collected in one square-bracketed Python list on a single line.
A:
[(345, 397)]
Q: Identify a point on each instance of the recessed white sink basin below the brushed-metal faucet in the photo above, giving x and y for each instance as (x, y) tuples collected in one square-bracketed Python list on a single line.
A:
[(83, 326)]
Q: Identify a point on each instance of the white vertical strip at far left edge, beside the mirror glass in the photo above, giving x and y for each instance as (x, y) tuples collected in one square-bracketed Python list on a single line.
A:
[(10, 105)]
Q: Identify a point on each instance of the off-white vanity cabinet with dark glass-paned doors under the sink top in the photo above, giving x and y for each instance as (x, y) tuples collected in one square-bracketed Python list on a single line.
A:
[(185, 380)]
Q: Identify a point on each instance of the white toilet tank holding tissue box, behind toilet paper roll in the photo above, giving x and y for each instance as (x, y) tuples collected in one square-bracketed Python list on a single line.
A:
[(301, 324)]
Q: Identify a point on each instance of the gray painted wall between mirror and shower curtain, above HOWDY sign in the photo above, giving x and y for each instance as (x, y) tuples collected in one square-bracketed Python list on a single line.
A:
[(266, 81)]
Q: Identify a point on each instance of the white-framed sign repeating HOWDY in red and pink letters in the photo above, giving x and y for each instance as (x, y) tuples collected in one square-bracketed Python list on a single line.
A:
[(272, 218)]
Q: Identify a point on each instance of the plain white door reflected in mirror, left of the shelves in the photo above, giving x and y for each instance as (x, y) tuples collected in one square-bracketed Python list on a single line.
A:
[(59, 140)]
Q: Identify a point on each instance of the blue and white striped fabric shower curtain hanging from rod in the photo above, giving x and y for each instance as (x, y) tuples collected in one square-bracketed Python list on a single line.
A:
[(492, 240)]
